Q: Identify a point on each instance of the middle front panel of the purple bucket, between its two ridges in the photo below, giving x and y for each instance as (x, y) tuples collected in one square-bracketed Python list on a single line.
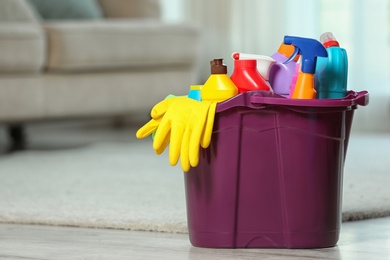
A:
[(260, 218)]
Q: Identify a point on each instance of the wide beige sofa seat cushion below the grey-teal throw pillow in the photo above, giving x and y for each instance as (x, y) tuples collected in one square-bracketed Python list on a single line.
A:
[(116, 44)]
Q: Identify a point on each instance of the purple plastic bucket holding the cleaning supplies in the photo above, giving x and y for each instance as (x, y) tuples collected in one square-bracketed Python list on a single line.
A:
[(272, 176)]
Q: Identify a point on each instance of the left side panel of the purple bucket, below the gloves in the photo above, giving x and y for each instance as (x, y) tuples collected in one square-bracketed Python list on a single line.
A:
[(211, 187)]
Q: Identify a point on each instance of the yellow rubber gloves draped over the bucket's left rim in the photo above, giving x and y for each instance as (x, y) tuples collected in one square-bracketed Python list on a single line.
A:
[(186, 124)]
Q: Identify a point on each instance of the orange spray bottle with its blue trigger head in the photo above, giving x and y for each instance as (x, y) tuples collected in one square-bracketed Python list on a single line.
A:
[(309, 49)]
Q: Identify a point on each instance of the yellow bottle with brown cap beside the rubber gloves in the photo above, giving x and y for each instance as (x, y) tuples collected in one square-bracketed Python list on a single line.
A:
[(218, 86)]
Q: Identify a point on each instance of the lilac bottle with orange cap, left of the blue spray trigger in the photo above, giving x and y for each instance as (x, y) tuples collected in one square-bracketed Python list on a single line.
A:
[(281, 73)]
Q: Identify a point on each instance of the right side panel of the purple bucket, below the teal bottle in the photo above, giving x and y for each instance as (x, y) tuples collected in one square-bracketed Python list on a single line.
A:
[(312, 153)]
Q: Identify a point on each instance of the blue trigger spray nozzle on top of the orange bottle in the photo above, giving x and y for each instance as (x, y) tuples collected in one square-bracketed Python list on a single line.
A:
[(309, 49)]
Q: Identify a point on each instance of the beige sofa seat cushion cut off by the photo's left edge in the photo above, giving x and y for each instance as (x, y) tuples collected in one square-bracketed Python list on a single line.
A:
[(22, 47)]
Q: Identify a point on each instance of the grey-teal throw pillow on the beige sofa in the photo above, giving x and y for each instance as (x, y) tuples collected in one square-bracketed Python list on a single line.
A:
[(67, 9)]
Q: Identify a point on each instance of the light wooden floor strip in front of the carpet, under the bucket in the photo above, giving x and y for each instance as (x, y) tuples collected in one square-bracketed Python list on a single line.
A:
[(368, 240)]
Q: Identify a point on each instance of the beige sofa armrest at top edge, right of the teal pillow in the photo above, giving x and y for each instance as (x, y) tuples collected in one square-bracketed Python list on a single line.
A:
[(131, 8)]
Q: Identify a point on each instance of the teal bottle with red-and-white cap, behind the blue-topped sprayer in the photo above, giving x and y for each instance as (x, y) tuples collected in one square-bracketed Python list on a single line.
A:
[(331, 73)]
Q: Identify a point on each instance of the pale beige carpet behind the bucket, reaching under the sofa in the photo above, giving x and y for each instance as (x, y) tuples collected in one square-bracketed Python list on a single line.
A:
[(99, 177)]
